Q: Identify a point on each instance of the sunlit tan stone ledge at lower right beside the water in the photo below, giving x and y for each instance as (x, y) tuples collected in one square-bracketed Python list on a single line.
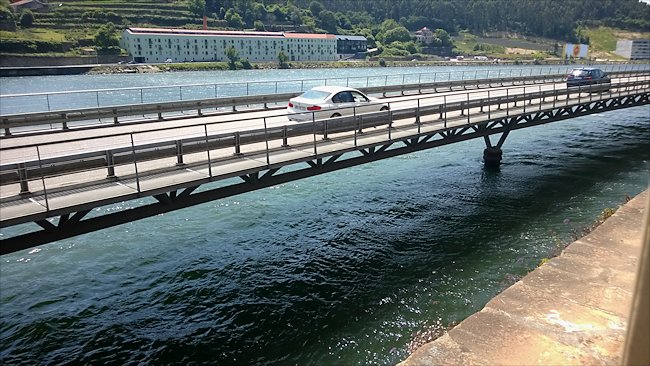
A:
[(573, 310)]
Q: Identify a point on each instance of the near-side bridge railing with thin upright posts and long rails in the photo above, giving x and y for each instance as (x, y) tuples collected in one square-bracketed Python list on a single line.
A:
[(136, 159)]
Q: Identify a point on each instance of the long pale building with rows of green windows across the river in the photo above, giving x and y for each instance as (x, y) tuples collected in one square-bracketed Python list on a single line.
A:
[(182, 45)]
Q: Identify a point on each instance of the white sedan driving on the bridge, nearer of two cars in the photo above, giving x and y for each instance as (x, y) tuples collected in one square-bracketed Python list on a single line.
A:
[(331, 101)]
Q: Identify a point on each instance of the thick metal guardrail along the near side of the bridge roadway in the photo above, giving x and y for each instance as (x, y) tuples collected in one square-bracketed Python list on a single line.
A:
[(41, 169)]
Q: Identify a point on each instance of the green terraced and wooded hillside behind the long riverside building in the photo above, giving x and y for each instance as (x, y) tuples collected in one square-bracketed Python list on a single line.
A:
[(387, 24)]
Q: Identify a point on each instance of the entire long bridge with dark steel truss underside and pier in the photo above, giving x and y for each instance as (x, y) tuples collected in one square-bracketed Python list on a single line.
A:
[(55, 179)]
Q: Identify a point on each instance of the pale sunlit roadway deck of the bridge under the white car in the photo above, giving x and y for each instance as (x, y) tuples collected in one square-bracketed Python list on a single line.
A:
[(74, 176)]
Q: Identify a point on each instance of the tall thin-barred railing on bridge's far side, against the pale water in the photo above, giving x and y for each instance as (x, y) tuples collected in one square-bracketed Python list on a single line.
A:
[(99, 98)]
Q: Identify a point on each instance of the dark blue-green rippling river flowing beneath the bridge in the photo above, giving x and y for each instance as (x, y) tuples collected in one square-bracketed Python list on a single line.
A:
[(346, 268)]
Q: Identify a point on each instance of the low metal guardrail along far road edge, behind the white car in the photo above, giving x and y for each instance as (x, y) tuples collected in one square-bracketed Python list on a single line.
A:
[(156, 111)]
